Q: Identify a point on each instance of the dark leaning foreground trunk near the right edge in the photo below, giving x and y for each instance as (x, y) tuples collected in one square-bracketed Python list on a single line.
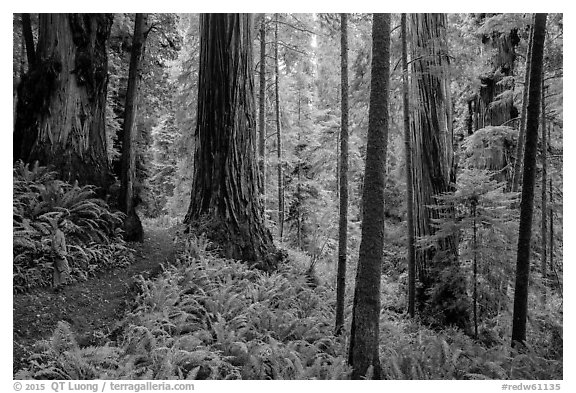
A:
[(528, 181)]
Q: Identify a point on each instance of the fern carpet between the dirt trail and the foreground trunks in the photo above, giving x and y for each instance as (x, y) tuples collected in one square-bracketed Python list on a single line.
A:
[(210, 318)]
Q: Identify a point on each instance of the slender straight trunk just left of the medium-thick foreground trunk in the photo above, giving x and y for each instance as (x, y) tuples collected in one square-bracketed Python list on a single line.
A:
[(343, 222)]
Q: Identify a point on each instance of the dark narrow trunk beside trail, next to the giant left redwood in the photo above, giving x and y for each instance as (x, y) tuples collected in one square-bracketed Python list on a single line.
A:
[(132, 225)]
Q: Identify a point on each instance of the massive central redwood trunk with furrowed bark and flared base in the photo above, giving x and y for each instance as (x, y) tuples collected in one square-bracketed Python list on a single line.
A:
[(224, 201)]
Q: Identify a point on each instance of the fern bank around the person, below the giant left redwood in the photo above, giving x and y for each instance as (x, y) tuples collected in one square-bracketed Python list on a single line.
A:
[(92, 231)]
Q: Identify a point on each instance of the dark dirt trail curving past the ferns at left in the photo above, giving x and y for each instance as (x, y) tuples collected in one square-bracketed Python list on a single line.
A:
[(92, 308)]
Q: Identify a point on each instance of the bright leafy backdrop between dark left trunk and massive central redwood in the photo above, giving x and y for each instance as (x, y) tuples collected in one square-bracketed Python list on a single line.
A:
[(168, 188)]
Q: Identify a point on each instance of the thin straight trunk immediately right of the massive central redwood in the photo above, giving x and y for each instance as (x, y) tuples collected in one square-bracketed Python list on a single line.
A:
[(262, 109)]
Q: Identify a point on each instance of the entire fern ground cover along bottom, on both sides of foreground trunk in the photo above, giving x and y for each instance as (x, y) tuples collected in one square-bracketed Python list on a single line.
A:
[(210, 318)]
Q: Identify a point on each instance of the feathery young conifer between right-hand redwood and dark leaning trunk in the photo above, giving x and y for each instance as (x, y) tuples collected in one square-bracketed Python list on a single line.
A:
[(480, 204)]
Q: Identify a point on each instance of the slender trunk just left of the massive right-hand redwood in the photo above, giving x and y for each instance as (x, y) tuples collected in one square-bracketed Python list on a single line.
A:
[(409, 185)]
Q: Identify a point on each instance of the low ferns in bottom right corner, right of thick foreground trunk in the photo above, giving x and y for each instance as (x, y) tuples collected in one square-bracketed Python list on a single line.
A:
[(424, 354)]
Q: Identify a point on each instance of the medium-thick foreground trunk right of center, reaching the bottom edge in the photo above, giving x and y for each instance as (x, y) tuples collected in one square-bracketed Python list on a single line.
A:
[(364, 336)]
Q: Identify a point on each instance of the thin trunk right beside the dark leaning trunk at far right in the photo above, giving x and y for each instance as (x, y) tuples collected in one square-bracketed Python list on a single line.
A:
[(544, 186)]
